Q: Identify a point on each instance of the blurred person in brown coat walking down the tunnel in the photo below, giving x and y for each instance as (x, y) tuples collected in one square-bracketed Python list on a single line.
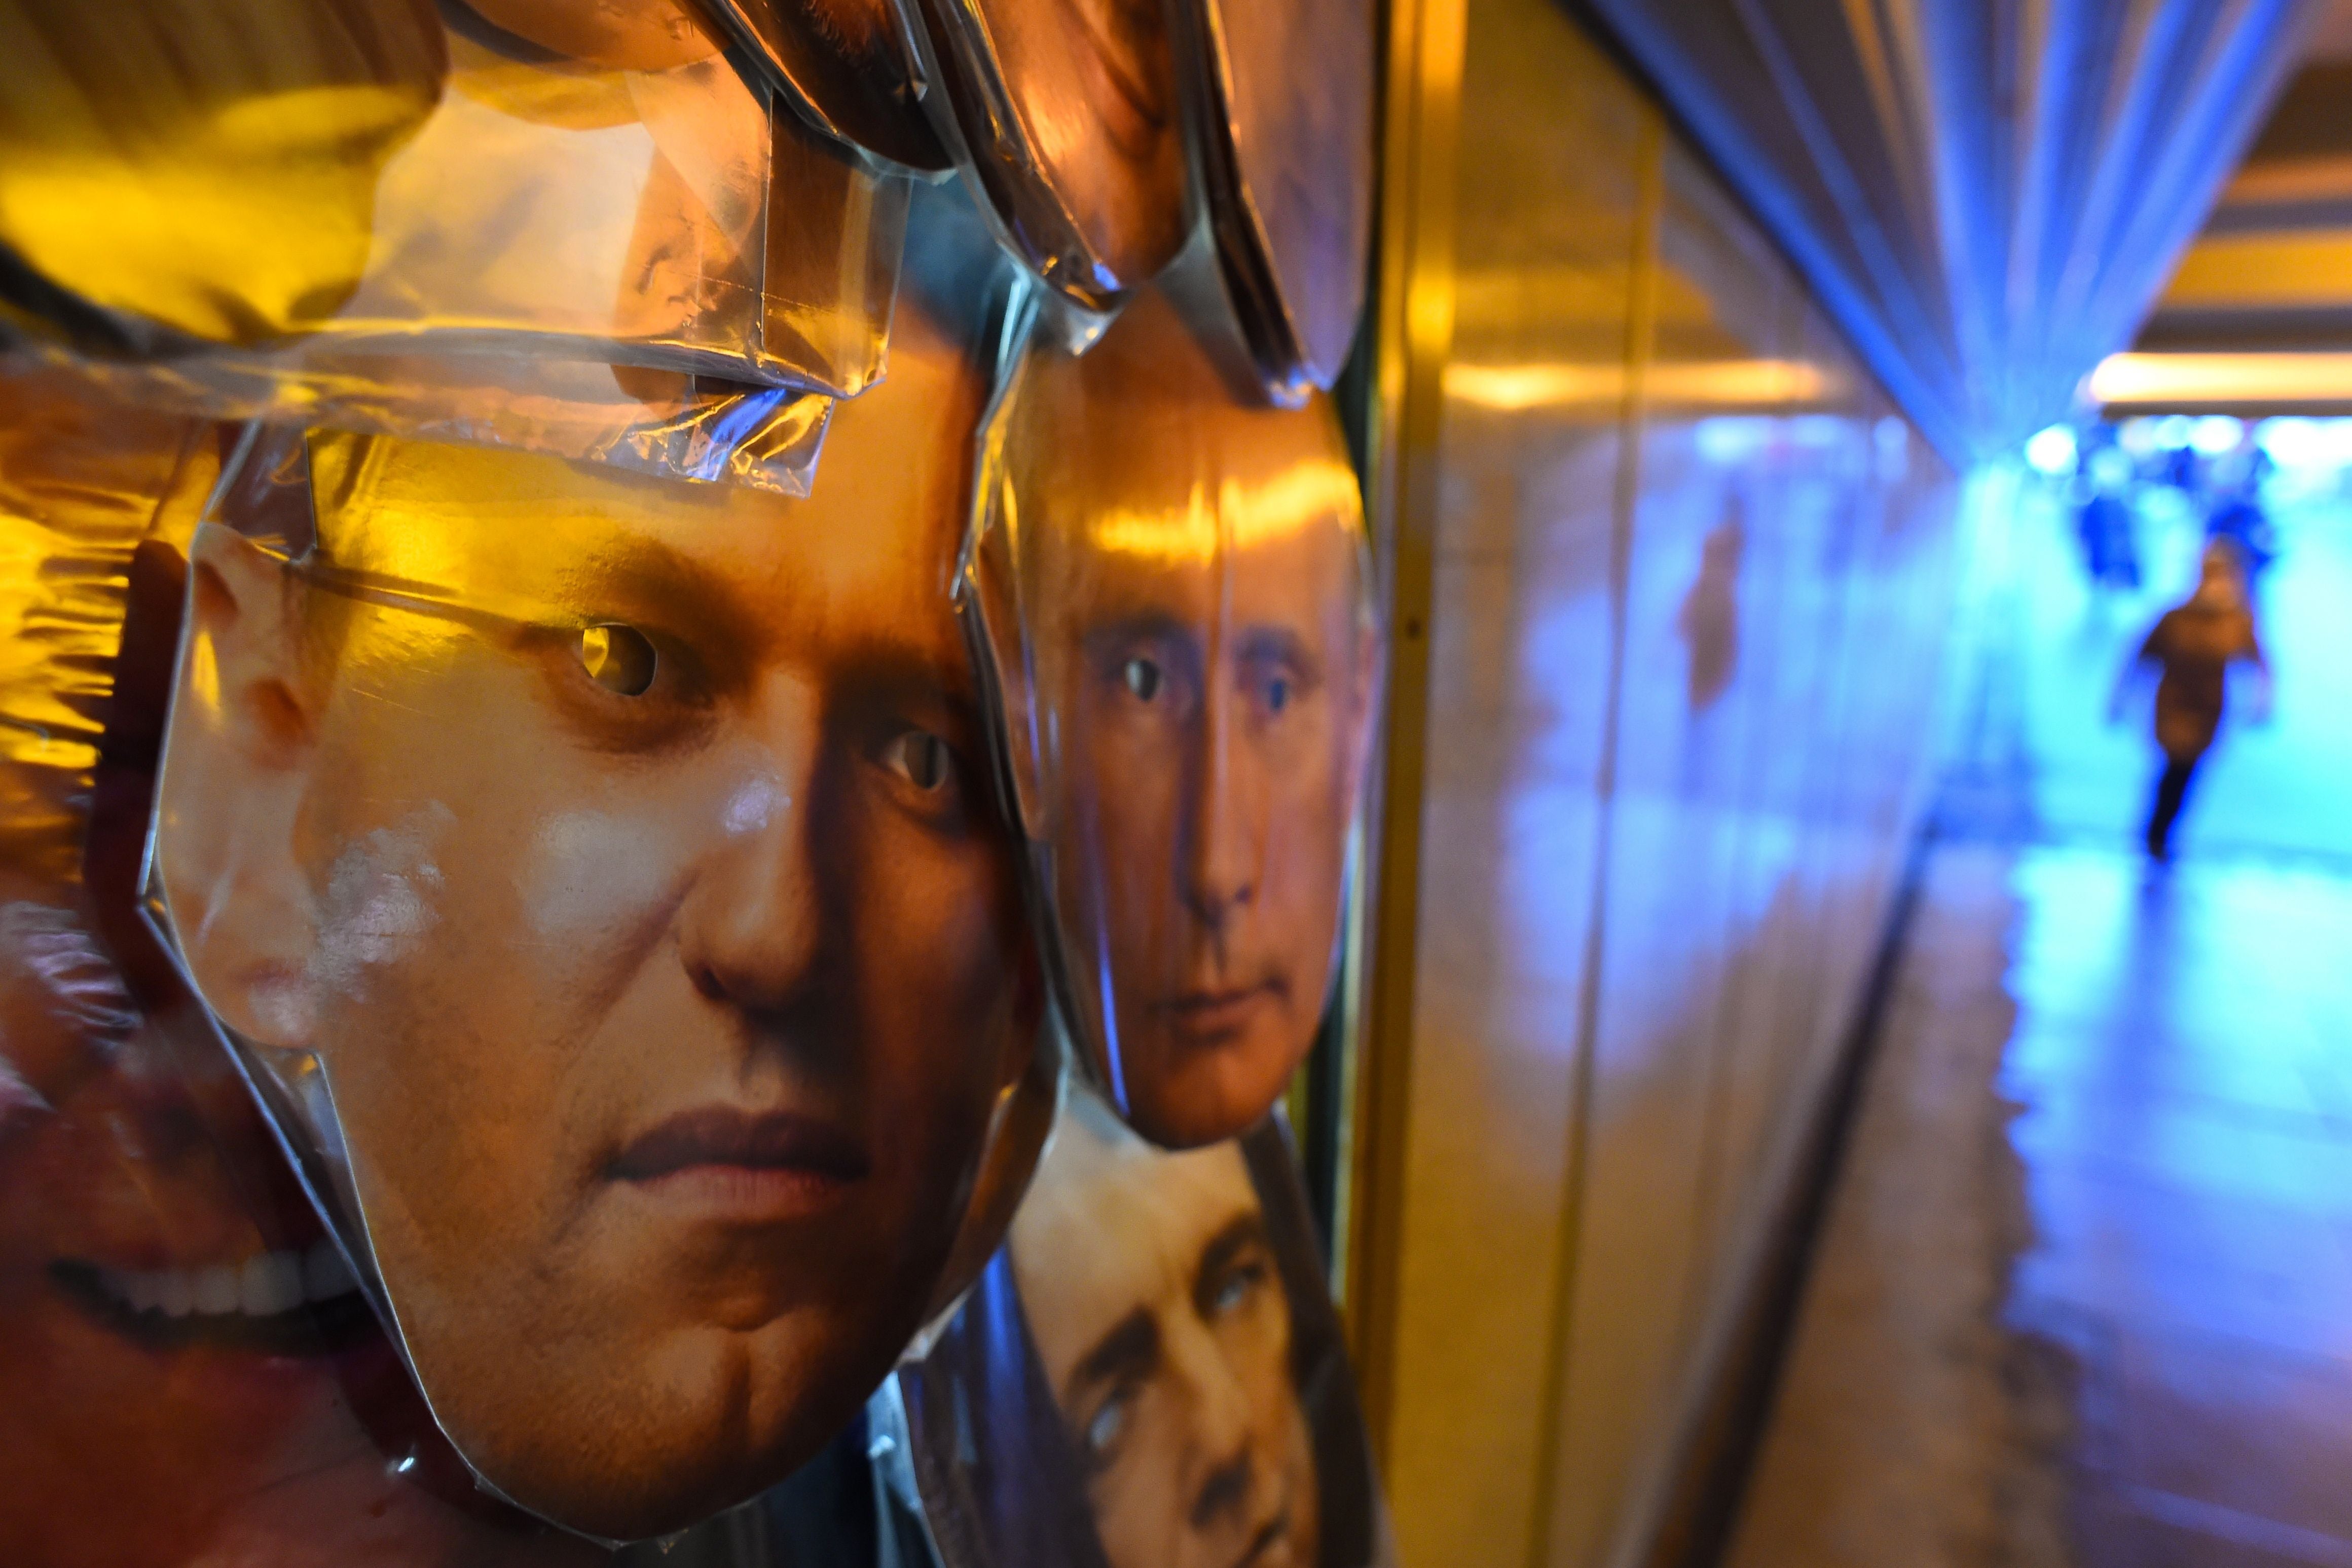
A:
[(2193, 648)]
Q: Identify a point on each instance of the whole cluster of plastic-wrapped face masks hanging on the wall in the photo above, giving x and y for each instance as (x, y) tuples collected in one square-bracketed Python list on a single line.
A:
[(643, 645)]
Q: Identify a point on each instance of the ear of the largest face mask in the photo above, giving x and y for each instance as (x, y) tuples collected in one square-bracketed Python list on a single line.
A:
[(234, 779)]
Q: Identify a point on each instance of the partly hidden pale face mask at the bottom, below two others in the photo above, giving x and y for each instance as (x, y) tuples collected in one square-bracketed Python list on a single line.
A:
[(1149, 1374)]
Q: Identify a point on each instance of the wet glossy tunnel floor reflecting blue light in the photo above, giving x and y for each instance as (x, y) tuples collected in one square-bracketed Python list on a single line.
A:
[(2087, 1285)]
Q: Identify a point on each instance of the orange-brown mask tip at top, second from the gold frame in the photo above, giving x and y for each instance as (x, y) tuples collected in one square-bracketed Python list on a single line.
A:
[(1067, 121)]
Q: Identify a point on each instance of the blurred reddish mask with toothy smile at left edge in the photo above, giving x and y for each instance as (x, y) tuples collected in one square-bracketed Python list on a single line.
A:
[(187, 1365)]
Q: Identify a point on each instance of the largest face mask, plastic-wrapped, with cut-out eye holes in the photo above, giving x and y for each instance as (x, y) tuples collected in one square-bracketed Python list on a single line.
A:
[(601, 890)]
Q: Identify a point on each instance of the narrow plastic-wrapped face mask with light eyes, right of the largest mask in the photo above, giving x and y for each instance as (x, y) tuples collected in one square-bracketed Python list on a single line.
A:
[(1175, 601)]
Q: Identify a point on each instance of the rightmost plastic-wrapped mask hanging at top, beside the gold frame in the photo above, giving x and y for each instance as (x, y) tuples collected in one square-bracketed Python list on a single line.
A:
[(1285, 159)]
